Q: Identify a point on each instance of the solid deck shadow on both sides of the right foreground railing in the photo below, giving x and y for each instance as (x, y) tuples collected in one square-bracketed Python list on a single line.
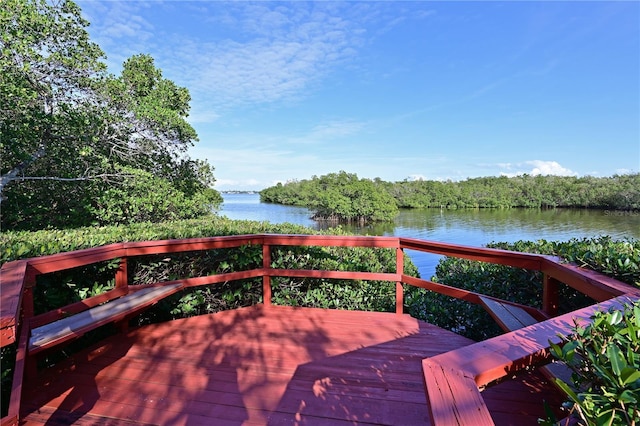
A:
[(382, 384)]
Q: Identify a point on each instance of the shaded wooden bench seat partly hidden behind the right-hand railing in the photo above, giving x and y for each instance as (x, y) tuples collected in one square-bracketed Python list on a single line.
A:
[(510, 317)]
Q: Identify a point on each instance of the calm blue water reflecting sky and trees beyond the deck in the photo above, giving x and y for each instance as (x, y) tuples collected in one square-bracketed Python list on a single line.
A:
[(468, 227)]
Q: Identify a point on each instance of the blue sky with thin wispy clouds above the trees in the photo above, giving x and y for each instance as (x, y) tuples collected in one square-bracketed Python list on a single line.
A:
[(395, 90)]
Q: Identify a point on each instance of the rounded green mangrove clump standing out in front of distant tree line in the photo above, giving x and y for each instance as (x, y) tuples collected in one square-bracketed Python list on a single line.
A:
[(340, 197)]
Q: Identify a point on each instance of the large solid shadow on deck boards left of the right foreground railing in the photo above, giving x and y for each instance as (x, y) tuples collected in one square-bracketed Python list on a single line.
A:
[(376, 384)]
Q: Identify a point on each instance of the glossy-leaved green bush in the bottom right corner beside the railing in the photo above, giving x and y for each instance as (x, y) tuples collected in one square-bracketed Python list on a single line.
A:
[(605, 359)]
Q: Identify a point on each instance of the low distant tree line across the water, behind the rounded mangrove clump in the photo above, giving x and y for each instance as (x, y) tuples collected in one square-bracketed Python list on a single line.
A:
[(620, 192)]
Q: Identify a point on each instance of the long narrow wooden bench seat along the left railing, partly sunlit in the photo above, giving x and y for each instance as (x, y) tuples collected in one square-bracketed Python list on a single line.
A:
[(54, 333)]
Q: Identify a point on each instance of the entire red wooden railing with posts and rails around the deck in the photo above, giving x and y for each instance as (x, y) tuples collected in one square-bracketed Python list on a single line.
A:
[(460, 373)]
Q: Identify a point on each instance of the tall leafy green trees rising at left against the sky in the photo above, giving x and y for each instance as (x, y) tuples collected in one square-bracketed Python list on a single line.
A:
[(76, 141)]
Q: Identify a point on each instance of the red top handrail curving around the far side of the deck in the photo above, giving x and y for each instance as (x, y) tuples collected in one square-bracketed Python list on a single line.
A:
[(596, 285)]
